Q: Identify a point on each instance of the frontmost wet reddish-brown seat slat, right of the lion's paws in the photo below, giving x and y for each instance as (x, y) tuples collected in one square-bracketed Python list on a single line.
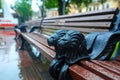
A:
[(80, 73)]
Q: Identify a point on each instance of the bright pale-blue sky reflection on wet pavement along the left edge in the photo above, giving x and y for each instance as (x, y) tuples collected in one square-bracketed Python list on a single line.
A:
[(9, 59)]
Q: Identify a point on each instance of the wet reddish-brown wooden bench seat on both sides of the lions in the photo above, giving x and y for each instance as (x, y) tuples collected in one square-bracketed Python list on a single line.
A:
[(90, 70)]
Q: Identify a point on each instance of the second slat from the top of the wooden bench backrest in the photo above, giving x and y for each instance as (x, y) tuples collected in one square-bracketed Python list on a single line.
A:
[(84, 19)]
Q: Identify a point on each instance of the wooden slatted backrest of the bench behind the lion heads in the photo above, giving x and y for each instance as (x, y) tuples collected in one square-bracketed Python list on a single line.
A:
[(102, 20)]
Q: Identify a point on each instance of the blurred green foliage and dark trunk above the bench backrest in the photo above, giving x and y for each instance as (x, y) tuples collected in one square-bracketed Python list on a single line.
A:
[(62, 4)]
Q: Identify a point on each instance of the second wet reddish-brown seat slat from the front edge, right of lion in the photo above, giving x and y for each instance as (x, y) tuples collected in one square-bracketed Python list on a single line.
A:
[(106, 74)]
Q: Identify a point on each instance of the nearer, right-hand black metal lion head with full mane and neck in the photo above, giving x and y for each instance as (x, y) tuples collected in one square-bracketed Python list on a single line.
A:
[(74, 45)]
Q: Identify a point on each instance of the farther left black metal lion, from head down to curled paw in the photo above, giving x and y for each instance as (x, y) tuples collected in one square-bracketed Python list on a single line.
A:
[(58, 60)]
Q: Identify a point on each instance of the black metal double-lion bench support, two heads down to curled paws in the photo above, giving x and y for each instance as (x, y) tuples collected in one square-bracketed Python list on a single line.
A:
[(70, 48)]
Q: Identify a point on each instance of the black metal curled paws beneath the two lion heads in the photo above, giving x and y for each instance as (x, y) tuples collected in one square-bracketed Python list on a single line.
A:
[(59, 70)]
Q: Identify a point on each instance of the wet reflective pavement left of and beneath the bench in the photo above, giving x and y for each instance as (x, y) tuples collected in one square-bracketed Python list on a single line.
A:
[(17, 65)]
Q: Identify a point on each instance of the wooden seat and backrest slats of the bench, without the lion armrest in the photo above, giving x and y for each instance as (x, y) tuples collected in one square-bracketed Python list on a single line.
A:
[(107, 20)]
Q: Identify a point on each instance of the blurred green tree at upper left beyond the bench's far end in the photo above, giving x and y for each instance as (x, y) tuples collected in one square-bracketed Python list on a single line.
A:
[(23, 7)]
